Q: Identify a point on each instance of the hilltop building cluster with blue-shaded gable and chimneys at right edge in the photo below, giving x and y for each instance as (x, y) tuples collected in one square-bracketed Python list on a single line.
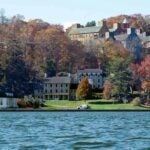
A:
[(131, 38)]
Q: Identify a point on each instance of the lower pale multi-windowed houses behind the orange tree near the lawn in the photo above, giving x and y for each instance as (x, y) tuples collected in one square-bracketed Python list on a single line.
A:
[(64, 87)]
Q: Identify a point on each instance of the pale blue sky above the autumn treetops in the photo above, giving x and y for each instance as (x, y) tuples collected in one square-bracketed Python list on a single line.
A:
[(66, 12)]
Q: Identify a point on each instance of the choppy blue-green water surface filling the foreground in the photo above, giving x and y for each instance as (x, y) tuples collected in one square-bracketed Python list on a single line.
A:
[(74, 130)]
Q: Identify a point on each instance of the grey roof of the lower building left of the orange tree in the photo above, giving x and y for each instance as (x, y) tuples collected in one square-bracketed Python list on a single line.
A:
[(57, 80)]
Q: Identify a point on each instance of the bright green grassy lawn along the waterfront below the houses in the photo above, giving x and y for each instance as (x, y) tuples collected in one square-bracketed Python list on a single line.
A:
[(94, 105)]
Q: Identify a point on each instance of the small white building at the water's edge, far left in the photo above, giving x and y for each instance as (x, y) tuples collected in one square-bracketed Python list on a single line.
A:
[(6, 102)]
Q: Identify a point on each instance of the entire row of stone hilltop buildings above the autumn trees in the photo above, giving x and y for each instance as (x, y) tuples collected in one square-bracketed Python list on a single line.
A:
[(131, 38)]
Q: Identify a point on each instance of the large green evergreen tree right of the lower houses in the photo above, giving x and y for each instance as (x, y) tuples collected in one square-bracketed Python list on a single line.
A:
[(120, 77)]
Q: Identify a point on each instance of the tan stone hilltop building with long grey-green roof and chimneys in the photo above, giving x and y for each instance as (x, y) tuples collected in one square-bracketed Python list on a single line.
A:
[(84, 34)]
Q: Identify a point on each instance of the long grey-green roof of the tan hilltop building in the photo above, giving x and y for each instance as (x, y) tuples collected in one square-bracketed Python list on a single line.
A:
[(84, 30)]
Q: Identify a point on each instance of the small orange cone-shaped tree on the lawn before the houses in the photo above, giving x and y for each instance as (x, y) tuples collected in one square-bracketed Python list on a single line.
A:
[(84, 90)]
